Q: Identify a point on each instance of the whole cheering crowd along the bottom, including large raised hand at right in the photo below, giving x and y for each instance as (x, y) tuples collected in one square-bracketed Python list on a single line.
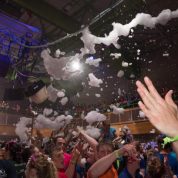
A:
[(75, 154)]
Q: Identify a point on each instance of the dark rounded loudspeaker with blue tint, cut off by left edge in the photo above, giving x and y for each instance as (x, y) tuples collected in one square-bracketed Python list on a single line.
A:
[(4, 65)]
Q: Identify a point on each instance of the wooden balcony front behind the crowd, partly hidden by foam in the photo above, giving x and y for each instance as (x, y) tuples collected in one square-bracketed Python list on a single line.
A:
[(130, 118)]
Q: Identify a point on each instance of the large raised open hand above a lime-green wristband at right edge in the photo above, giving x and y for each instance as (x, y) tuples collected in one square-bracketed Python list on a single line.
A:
[(162, 113)]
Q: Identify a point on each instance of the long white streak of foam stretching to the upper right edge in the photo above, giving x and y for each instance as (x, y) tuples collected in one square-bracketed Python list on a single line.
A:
[(119, 29)]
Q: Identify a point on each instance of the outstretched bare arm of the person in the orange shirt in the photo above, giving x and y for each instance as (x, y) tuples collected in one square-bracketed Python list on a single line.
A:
[(103, 164)]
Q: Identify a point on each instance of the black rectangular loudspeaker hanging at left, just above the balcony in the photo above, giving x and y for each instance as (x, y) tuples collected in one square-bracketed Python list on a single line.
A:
[(11, 94)]
